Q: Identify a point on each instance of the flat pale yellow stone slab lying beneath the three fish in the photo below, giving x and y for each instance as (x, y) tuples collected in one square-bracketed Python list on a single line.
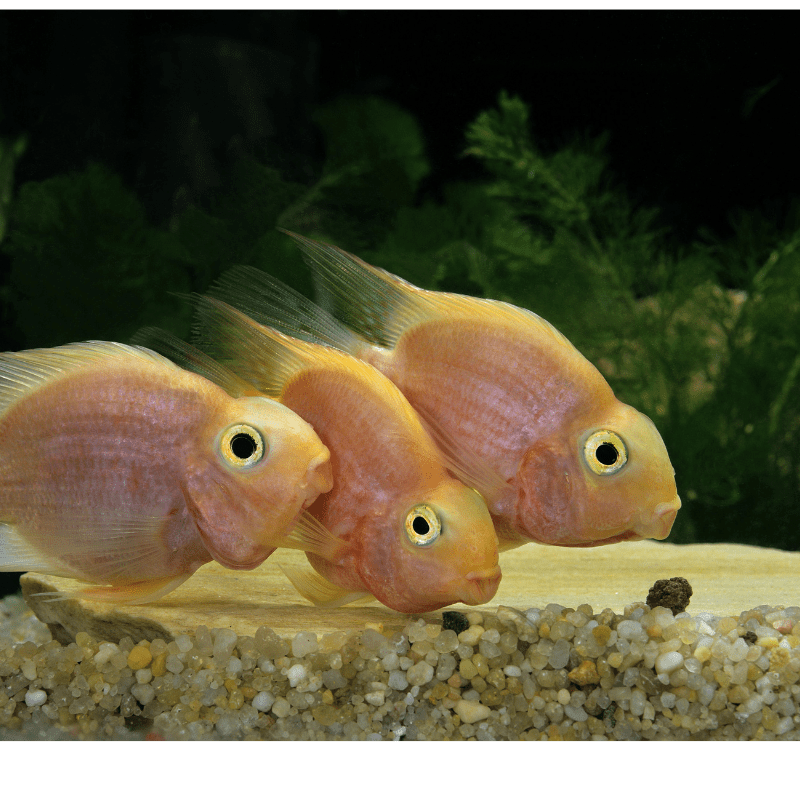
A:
[(726, 580)]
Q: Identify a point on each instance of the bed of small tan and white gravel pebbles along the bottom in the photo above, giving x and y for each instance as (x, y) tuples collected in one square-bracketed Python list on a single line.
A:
[(554, 673)]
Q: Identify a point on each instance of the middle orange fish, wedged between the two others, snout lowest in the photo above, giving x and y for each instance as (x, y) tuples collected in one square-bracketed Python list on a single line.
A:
[(413, 537)]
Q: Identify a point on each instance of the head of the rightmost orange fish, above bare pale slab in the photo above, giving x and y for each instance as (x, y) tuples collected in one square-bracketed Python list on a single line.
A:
[(609, 479)]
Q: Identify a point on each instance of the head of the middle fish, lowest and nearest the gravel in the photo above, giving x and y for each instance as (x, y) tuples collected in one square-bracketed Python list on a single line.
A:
[(442, 549)]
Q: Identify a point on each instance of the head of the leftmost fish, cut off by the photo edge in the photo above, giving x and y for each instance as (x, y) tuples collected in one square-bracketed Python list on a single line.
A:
[(251, 475)]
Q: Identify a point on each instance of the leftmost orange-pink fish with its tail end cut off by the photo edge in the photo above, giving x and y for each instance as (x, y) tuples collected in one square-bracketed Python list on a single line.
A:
[(118, 467)]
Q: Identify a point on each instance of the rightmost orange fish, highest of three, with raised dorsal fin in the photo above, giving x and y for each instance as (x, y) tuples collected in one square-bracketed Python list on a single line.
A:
[(522, 416)]
